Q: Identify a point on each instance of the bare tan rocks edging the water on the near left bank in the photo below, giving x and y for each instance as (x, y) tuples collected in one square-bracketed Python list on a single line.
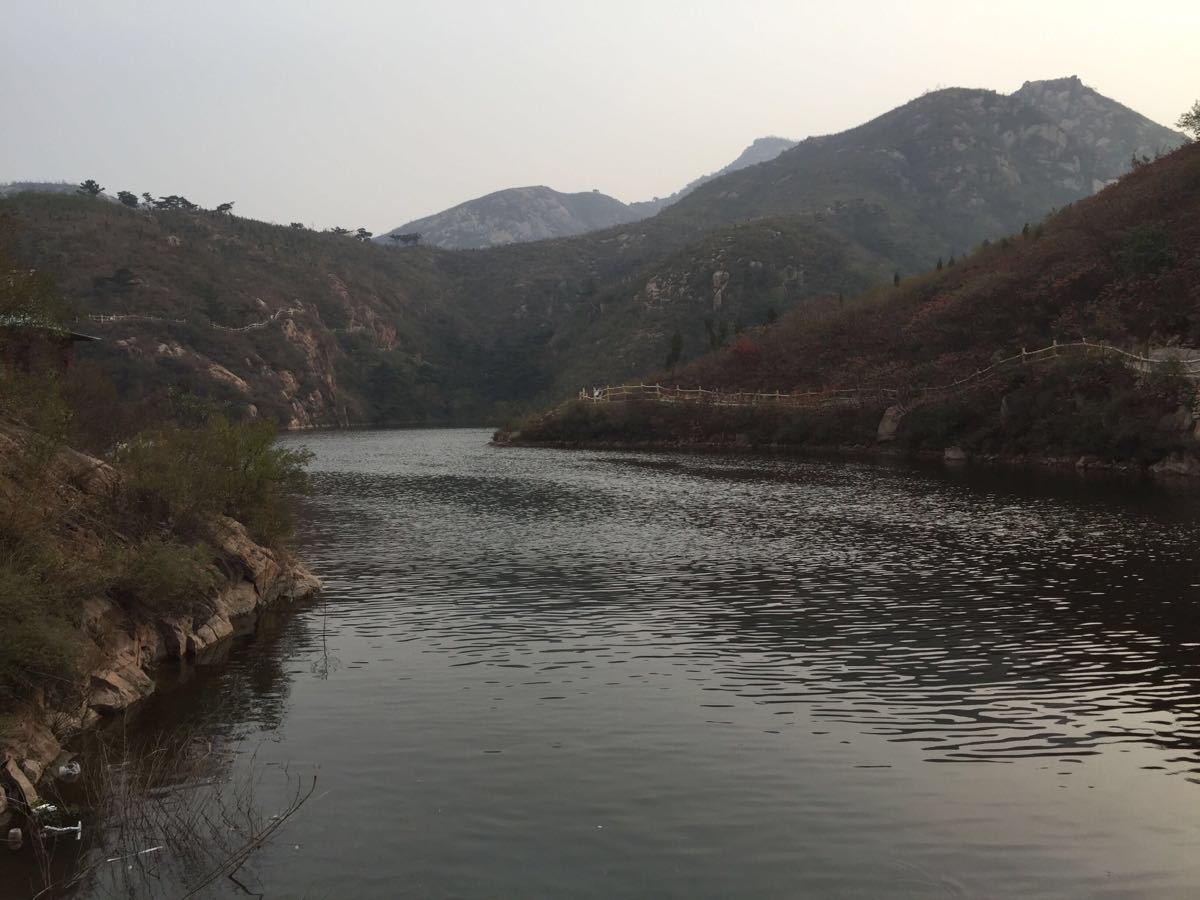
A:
[(128, 650)]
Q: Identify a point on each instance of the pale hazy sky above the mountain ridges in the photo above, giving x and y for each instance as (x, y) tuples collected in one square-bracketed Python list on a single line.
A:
[(374, 113)]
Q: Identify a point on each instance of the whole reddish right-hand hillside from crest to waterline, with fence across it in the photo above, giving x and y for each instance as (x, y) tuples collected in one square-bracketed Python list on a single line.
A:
[(1121, 268)]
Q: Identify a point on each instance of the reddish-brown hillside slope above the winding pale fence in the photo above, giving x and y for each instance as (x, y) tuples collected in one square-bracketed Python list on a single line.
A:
[(1121, 267)]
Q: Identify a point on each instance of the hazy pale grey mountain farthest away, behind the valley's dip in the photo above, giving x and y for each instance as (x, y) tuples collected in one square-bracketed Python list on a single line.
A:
[(530, 214)]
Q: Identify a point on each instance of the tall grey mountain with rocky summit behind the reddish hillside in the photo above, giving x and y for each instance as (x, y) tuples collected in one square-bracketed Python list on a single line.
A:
[(950, 169)]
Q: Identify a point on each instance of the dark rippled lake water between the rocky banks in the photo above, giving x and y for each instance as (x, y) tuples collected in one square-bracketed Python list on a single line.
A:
[(581, 675)]
